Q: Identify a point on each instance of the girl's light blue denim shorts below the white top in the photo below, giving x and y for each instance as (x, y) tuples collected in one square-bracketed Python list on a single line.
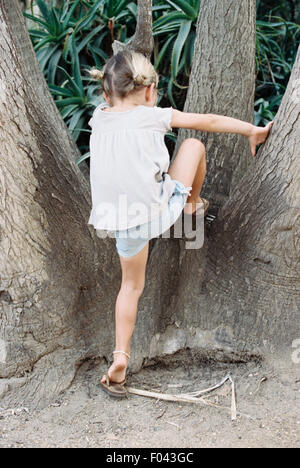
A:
[(131, 241)]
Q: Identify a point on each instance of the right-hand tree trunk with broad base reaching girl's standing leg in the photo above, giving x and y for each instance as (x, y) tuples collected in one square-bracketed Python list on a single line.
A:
[(240, 293)]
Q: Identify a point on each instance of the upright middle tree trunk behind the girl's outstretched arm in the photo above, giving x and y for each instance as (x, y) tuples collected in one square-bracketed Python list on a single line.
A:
[(223, 82)]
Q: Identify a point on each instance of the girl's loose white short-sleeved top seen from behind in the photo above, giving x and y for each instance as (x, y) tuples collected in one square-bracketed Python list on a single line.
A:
[(128, 165)]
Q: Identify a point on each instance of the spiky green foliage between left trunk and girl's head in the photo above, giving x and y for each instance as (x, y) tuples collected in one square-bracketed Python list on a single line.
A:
[(69, 40)]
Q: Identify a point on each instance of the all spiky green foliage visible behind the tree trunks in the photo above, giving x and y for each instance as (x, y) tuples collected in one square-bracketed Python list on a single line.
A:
[(72, 36)]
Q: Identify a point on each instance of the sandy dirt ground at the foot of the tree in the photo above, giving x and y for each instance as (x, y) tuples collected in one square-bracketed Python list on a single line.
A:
[(267, 397)]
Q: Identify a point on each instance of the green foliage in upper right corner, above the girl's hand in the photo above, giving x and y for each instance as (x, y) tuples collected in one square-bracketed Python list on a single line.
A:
[(278, 38)]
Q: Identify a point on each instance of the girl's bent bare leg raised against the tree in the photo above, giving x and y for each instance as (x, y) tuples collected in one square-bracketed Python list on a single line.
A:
[(189, 167)]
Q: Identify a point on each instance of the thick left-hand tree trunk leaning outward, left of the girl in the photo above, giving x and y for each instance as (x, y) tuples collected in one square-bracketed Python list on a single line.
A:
[(58, 281)]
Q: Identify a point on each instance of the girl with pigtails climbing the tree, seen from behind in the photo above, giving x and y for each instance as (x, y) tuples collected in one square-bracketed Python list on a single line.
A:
[(130, 173)]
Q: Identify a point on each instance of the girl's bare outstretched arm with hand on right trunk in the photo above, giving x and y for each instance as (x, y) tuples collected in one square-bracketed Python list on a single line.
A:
[(221, 124)]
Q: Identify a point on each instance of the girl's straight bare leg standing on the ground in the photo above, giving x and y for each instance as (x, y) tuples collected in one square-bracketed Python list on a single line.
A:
[(133, 282)]
